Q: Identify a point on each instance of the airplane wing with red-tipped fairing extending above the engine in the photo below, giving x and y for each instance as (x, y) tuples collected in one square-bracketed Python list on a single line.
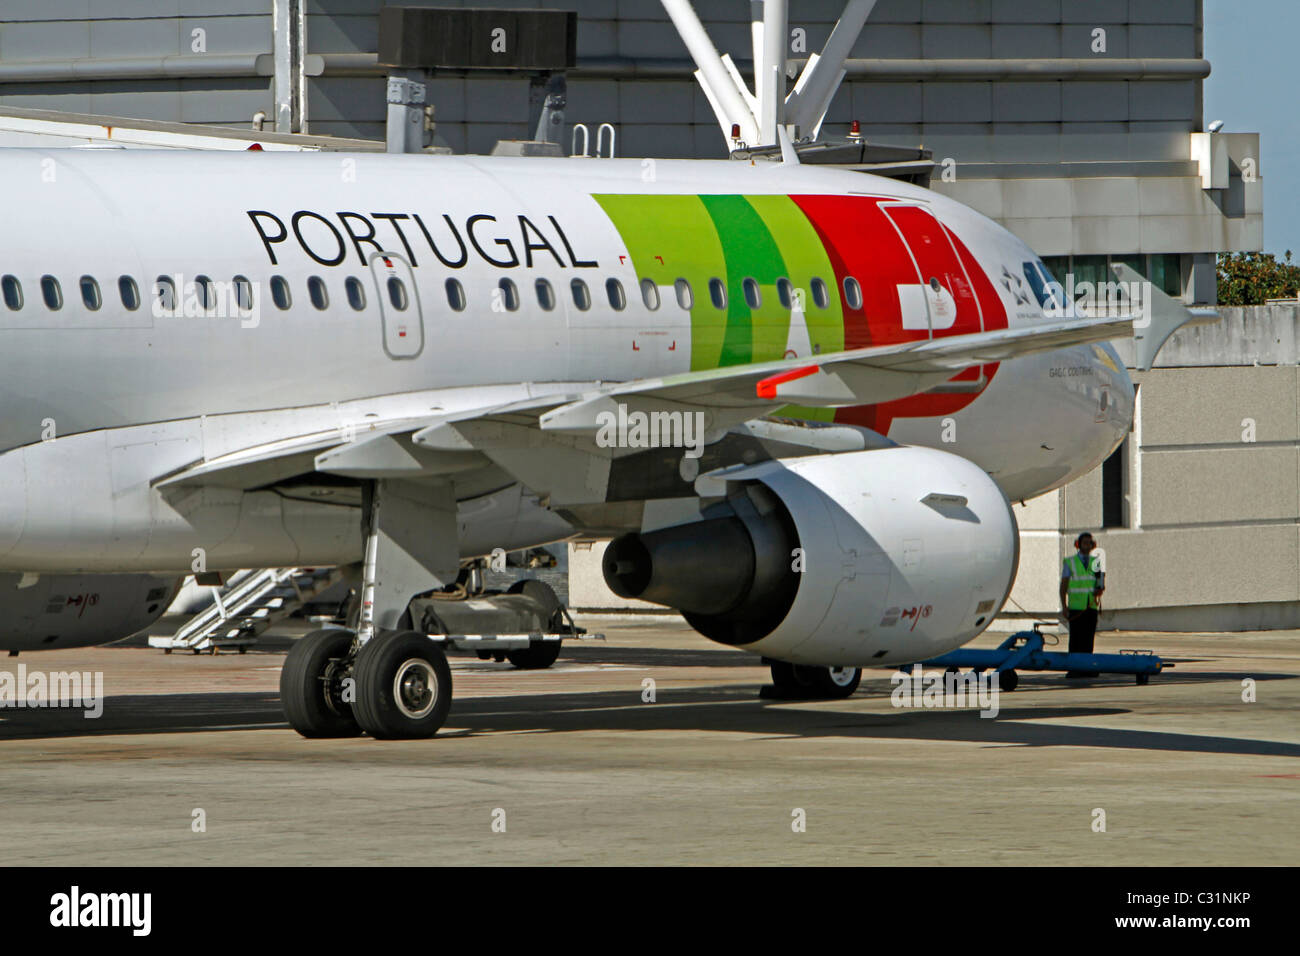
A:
[(549, 440)]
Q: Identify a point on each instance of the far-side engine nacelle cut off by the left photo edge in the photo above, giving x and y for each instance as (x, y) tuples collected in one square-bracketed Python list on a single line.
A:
[(79, 611)]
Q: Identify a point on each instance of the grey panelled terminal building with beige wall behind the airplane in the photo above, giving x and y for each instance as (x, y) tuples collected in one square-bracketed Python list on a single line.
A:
[(1077, 124)]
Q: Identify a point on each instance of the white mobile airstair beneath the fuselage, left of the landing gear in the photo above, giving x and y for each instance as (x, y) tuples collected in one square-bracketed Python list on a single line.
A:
[(248, 605)]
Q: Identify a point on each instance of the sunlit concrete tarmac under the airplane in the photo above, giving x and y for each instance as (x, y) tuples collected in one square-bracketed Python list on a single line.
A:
[(192, 763)]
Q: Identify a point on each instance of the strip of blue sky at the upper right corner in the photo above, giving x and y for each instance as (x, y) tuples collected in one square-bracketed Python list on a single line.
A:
[(1254, 47)]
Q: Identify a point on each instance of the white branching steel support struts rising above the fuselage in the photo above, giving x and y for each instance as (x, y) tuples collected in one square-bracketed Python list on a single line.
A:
[(761, 114)]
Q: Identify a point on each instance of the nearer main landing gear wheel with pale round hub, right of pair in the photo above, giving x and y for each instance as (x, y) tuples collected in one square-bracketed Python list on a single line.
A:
[(404, 686)]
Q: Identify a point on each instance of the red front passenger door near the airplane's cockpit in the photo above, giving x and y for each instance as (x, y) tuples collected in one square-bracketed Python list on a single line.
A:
[(946, 296)]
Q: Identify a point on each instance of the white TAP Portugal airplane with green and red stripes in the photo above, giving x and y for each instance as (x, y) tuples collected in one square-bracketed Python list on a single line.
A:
[(400, 364)]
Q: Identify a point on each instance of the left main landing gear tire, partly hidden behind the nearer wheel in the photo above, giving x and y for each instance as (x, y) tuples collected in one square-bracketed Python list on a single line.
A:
[(313, 703)]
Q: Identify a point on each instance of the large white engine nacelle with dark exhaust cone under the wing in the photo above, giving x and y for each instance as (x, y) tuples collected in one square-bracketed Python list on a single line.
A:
[(866, 559)]
